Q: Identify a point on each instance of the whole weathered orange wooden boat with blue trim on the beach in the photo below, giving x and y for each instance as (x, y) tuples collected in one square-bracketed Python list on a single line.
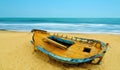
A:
[(68, 49)]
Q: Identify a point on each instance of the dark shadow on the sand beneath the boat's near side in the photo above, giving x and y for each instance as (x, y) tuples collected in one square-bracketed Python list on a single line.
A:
[(63, 66)]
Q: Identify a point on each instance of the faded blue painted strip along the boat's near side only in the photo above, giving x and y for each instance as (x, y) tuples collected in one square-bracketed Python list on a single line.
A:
[(66, 60)]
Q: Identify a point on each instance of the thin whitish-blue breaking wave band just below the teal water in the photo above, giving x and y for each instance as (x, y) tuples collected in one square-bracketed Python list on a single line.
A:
[(62, 24)]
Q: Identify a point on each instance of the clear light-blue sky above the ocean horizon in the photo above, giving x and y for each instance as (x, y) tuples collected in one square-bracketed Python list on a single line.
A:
[(60, 8)]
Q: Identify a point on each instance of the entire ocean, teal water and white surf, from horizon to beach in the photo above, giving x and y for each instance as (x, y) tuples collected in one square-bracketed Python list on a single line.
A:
[(74, 25)]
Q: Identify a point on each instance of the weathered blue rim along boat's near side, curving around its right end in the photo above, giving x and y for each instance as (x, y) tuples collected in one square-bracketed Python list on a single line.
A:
[(74, 60)]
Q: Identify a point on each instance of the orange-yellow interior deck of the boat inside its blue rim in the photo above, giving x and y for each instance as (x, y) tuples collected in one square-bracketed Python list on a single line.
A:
[(66, 44)]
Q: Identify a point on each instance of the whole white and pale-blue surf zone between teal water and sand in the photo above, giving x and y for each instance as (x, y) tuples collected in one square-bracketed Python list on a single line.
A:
[(64, 27)]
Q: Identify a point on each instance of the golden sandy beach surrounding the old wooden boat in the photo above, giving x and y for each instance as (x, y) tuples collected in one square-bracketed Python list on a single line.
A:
[(16, 53)]
